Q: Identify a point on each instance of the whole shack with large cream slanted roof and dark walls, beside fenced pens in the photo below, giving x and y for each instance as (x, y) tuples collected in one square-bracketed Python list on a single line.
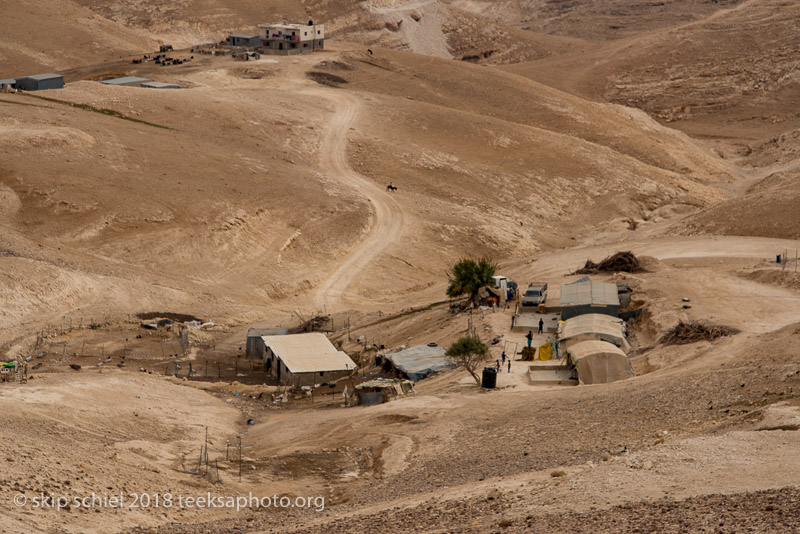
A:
[(305, 359)]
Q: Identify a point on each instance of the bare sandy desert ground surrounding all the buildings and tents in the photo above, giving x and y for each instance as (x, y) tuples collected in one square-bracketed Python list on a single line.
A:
[(258, 190)]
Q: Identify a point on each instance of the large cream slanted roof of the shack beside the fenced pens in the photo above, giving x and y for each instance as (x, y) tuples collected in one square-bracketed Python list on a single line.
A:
[(308, 353)]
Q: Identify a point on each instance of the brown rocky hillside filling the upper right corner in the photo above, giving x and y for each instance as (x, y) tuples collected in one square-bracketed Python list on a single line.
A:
[(728, 75)]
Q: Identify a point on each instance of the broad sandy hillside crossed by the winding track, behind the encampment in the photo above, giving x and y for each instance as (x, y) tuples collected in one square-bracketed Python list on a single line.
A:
[(231, 204)]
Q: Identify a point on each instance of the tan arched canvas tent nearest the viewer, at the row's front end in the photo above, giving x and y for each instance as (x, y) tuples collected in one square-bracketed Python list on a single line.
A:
[(599, 362)]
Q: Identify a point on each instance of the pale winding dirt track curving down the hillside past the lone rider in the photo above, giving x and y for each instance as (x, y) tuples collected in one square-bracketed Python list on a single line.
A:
[(386, 222)]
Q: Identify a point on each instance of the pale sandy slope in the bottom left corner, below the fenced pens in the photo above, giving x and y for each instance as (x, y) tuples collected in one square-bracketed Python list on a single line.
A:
[(110, 433)]
